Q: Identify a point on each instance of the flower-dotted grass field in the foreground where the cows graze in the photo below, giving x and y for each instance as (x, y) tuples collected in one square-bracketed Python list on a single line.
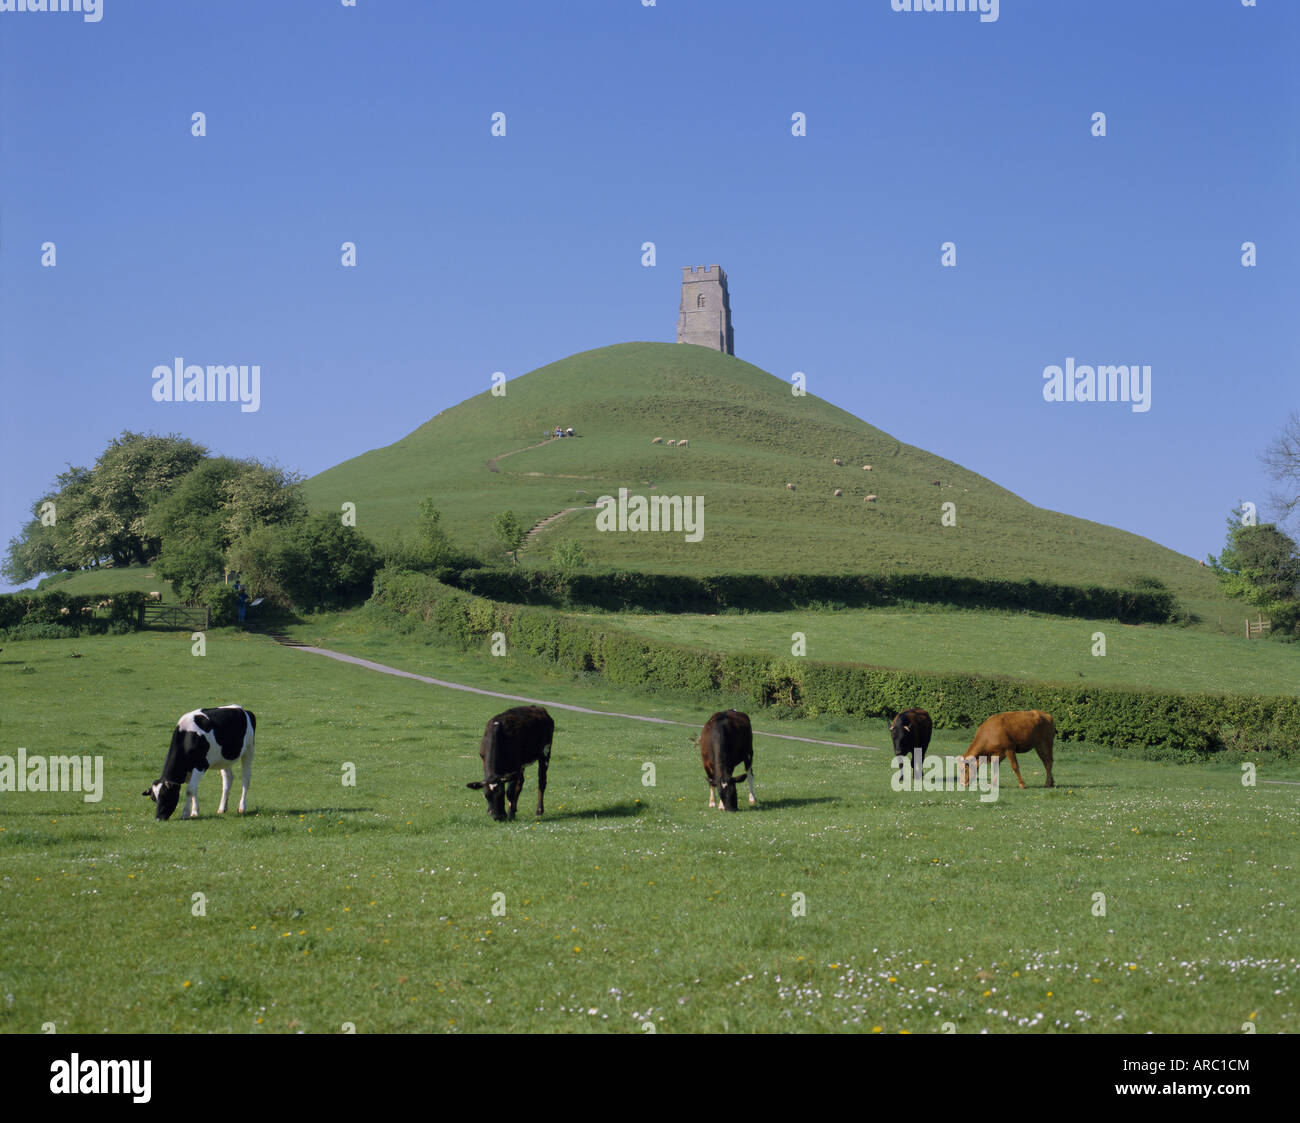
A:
[(627, 904)]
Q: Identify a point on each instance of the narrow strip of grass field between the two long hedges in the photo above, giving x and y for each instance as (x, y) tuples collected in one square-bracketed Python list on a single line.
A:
[(1045, 649)]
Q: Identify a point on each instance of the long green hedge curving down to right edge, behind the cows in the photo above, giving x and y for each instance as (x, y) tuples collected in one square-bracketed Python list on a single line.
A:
[(1146, 719)]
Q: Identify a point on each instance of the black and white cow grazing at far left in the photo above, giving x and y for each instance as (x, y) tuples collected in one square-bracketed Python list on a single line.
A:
[(205, 739)]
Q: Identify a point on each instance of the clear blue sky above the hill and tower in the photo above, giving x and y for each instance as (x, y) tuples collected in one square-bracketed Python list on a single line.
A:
[(668, 124)]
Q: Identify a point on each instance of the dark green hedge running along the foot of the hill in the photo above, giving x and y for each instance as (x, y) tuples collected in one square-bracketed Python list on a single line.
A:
[(683, 593)]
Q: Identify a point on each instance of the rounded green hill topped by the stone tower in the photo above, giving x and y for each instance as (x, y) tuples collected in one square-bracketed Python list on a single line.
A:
[(748, 439)]
